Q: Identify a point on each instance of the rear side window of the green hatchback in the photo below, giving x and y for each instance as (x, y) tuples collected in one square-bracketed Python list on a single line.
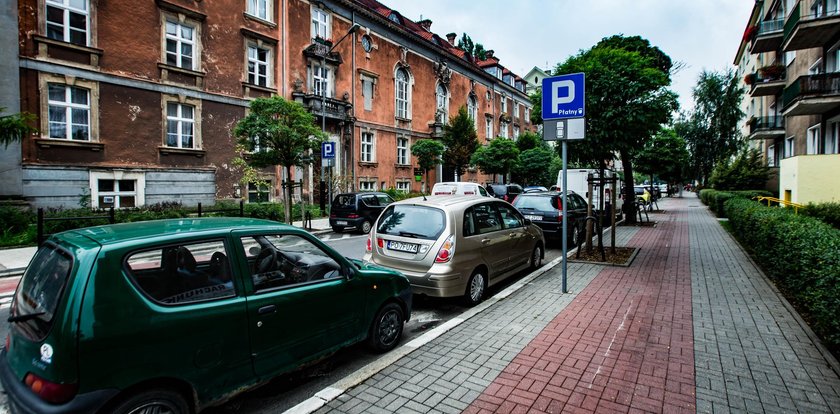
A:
[(184, 273)]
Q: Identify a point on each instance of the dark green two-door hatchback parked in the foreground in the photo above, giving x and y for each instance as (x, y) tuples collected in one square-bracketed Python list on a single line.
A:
[(179, 315)]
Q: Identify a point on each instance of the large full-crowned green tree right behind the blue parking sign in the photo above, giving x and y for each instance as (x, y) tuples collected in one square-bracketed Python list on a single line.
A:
[(627, 101)]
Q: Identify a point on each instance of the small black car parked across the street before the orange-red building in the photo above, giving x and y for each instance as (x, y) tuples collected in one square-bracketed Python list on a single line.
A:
[(357, 210)]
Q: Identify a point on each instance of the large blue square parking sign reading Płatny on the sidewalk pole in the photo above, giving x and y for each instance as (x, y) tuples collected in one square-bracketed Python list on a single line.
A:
[(564, 96)]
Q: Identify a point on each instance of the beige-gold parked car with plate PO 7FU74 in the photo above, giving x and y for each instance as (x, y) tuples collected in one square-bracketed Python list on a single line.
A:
[(454, 246)]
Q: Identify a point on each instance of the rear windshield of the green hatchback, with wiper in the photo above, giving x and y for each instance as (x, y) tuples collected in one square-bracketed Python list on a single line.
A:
[(40, 290)]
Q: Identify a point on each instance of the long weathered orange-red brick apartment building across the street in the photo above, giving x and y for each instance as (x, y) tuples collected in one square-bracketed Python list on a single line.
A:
[(136, 101)]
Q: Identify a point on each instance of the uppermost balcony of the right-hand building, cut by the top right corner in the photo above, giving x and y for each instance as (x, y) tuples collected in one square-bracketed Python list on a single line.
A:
[(806, 28)]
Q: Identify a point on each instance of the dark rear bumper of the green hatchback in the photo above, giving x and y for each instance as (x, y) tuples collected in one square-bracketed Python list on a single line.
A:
[(22, 400)]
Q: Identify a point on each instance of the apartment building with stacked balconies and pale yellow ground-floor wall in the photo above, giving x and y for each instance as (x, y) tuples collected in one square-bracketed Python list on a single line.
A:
[(794, 92)]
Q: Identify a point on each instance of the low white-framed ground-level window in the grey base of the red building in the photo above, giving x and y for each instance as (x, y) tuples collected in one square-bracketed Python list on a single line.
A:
[(117, 189)]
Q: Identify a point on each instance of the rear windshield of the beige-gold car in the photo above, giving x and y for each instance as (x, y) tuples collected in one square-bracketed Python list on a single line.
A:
[(412, 221)]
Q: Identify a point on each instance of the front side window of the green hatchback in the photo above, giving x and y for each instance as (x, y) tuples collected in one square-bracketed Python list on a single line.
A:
[(277, 261)]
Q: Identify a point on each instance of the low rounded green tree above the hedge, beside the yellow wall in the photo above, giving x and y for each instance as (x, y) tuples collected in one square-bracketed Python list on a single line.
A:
[(747, 172)]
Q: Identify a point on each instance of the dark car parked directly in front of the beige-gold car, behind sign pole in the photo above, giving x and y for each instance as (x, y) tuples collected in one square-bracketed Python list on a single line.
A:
[(543, 209)]
